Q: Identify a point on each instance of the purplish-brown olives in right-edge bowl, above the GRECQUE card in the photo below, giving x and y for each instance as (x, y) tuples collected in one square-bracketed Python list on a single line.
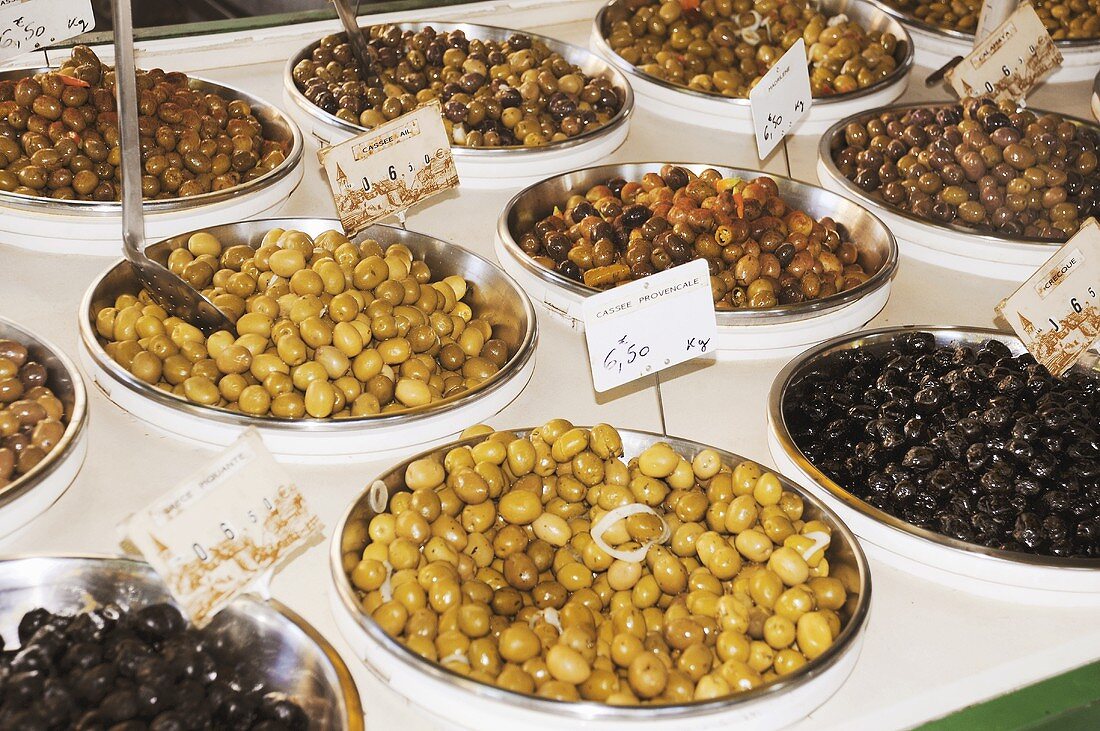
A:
[(978, 165)]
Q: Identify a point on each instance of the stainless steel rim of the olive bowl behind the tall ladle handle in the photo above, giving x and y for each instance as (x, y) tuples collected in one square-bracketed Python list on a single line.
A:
[(277, 126)]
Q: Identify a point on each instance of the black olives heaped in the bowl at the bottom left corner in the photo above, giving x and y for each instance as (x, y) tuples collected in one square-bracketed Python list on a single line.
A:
[(126, 671)]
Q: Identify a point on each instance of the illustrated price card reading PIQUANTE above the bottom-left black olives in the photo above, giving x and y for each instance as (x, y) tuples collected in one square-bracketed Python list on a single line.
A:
[(224, 528)]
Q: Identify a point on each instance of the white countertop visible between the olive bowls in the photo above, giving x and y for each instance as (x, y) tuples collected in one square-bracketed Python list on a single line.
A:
[(929, 650)]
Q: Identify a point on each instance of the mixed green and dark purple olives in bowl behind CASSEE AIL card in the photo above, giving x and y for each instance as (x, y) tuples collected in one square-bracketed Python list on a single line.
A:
[(515, 93)]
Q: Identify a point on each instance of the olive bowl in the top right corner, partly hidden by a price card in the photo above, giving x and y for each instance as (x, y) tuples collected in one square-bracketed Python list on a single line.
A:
[(944, 30)]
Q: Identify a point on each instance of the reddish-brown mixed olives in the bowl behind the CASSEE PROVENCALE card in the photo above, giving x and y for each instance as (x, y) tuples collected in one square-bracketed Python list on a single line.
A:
[(763, 252)]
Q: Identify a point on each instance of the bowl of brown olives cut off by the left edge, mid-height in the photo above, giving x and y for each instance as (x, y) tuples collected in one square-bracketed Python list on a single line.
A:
[(43, 425)]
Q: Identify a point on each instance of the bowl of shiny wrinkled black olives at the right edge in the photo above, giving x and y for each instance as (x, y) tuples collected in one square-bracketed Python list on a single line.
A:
[(954, 456)]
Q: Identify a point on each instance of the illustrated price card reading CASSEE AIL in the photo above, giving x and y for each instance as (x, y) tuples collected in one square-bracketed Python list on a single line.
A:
[(390, 169)]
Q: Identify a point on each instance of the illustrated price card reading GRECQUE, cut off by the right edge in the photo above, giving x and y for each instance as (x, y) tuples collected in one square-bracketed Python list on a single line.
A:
[(1058, 312)]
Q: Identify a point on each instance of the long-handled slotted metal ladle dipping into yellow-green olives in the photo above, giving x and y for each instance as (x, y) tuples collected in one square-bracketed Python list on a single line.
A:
[(168, 290)]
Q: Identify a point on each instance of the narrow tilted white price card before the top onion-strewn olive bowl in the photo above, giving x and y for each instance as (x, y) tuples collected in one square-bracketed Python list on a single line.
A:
[(780, 99)]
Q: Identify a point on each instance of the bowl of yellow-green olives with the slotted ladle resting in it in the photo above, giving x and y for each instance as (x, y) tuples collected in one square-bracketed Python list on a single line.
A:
[(344, 348)]
